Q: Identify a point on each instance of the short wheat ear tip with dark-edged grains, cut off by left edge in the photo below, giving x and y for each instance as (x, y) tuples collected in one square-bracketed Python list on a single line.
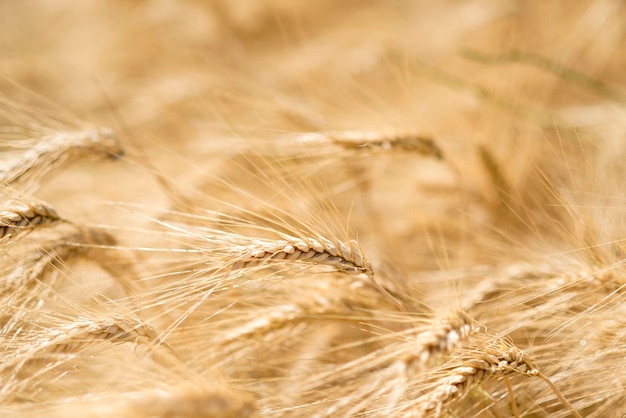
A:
[(22, 215)]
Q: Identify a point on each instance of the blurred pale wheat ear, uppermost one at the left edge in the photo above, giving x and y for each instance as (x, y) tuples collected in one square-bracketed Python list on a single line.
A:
[(51, 151)]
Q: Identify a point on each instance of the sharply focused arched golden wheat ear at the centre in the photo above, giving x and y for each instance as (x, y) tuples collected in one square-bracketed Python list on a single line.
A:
[(347, 259)]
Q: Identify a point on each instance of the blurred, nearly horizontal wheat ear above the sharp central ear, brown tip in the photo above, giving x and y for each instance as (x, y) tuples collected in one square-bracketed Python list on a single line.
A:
[(375, 141)]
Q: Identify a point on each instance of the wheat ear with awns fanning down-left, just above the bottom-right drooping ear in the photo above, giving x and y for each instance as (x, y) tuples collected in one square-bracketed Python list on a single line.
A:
[(380, 383)]
